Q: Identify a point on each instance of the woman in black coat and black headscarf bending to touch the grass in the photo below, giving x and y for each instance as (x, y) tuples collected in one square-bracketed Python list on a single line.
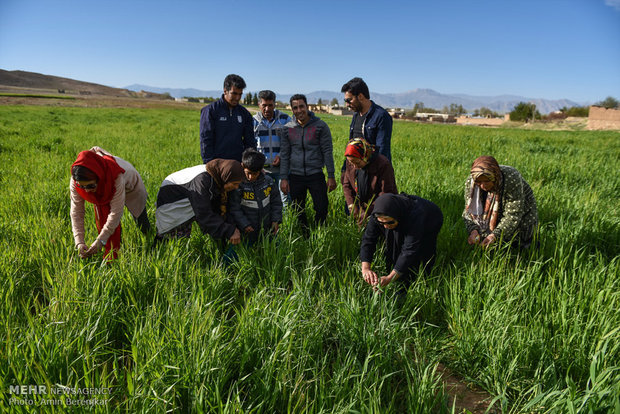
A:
[(409, 225)]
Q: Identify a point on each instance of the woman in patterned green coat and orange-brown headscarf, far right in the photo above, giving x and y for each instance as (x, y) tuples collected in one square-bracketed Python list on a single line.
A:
[(499, 204)]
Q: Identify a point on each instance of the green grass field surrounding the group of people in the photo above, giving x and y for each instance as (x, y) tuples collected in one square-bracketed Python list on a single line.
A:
[(292, 327)]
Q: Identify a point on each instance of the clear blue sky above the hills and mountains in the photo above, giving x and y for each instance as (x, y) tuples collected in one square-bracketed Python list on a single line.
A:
[(534, 48)]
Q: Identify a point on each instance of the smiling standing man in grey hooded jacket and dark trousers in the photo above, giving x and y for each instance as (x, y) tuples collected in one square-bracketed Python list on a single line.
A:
[(306, 148)]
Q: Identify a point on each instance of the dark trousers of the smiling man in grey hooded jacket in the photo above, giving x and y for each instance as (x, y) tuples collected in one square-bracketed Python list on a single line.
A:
[(299, 185)]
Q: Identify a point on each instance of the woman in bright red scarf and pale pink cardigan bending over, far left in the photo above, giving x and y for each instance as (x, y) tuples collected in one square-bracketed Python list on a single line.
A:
[(110, 183)]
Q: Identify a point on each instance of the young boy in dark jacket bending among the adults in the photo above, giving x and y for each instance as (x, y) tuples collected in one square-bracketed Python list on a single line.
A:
[(256, 206)]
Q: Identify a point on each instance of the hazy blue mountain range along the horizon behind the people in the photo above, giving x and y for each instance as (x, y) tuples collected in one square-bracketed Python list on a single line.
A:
[(406, 100)]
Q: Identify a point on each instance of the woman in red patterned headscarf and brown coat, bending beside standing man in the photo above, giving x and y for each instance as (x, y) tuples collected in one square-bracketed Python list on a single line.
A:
[(367, 175)]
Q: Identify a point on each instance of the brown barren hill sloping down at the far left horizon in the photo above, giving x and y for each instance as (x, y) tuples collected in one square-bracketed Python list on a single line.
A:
[(32, 80)]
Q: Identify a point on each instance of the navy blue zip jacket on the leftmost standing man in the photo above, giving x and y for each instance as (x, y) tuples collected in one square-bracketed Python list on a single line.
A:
[(225, 132)]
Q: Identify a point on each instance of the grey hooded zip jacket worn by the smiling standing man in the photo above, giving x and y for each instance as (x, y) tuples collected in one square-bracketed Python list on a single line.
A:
[(306, 149)]
